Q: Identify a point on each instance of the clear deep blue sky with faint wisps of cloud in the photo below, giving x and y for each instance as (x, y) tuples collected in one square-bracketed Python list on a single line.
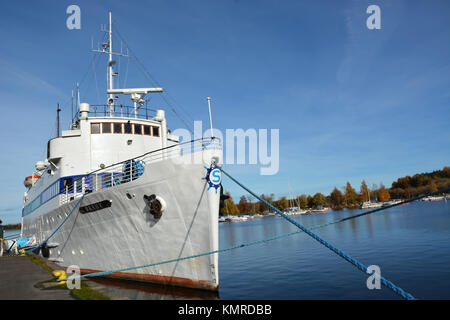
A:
[(350, 103)]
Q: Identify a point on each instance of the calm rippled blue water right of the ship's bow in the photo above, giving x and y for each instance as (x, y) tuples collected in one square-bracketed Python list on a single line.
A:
[(411, 245)]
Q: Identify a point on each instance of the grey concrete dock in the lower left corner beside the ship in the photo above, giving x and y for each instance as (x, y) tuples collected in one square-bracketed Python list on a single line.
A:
[(19, 277)]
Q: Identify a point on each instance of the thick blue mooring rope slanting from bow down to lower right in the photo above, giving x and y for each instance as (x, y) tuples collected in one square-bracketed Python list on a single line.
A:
[(339, 252)]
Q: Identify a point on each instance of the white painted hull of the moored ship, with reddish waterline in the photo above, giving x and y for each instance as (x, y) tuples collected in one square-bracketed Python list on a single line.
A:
[(127, 234)]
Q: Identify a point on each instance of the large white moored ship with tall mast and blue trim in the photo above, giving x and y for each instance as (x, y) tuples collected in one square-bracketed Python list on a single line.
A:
[(145, 200)]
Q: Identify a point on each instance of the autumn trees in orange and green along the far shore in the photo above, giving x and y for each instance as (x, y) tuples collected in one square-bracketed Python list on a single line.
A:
[(404, 188)]
